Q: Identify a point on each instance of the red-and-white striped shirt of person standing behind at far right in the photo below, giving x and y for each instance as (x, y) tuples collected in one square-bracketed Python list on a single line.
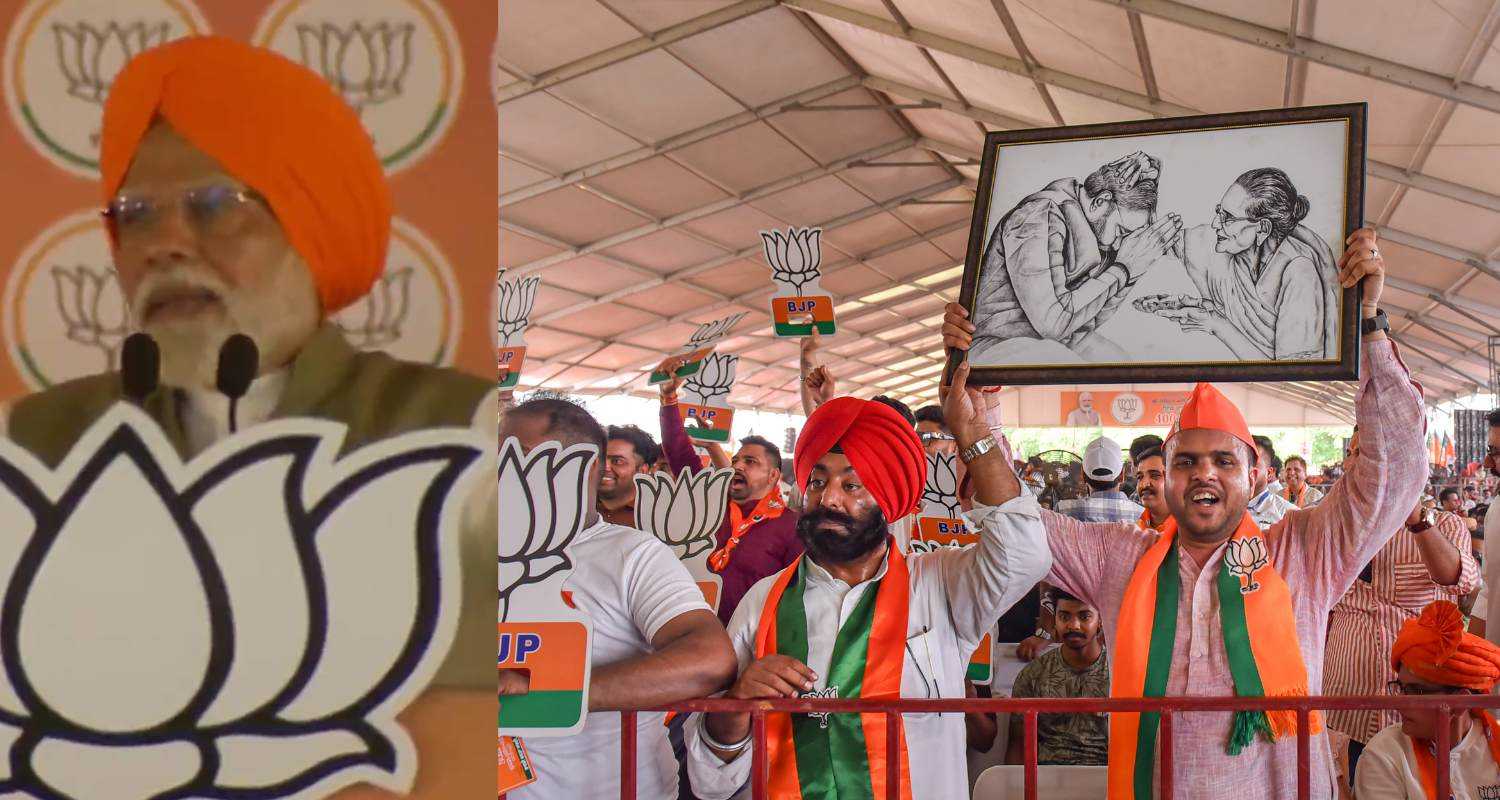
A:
[(1364, 625)]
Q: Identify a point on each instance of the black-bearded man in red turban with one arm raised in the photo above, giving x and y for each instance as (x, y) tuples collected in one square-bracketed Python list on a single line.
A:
[(857, 619)]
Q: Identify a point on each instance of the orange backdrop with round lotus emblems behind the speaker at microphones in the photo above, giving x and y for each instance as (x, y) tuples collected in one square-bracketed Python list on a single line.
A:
[(418, 73)]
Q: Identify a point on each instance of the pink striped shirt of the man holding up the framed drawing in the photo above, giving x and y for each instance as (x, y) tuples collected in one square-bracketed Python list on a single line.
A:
[(1319, 552)]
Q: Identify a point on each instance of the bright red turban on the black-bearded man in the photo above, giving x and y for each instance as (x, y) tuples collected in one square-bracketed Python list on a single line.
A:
[(881, 447)]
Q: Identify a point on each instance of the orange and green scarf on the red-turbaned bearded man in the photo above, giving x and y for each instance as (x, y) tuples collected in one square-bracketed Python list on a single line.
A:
[(839, 757)]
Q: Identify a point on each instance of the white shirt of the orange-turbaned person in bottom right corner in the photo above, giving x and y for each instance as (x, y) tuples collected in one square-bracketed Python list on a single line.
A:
[(1388, 769)]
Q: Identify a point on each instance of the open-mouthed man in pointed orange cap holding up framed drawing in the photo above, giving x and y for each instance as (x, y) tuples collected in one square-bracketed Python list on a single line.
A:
[(1213, 606)]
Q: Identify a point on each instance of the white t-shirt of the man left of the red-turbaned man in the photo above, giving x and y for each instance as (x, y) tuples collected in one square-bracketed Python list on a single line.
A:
[(629, 585)]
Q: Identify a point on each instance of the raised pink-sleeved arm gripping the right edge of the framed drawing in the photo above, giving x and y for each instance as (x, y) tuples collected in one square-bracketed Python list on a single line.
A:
[(1385, 480)]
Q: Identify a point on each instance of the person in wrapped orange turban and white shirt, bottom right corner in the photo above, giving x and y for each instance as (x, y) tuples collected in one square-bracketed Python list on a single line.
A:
[(1435, 657)]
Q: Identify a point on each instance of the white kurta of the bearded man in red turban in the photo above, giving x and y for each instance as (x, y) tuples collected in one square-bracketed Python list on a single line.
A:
[(958, 595)]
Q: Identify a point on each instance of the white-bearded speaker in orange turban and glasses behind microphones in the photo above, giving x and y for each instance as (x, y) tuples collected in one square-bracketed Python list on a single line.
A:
[(244, 196)]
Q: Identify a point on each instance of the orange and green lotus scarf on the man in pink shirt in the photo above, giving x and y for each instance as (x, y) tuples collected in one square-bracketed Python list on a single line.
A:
[(1261, 643)]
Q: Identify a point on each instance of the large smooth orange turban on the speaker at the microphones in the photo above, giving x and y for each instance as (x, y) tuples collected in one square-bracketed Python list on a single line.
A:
[(281, 130)]
